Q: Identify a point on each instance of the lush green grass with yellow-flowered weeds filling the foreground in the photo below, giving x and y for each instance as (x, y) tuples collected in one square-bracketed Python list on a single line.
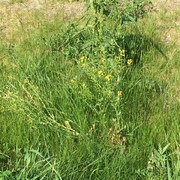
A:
[(72, 107)]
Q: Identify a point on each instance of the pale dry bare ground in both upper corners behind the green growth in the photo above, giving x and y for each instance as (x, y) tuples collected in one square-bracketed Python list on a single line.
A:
[(15, 14)]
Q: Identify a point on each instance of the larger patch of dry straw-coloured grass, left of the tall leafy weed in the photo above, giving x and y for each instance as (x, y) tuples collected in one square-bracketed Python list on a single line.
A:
[(28, 15)]
